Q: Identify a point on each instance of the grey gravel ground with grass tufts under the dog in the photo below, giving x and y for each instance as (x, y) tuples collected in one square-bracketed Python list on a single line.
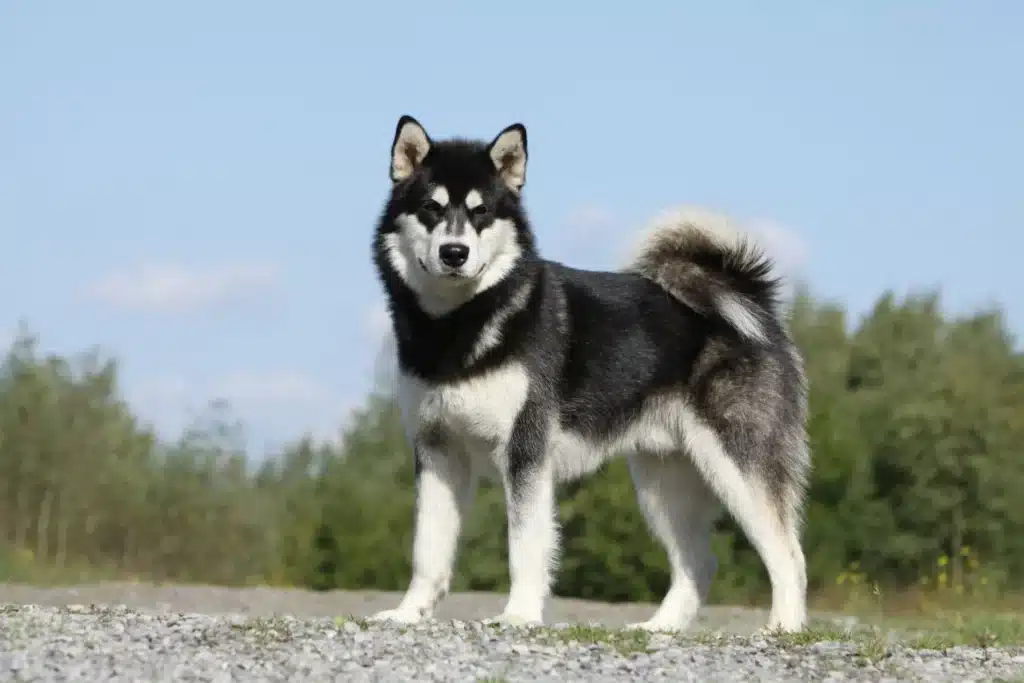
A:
[(118, 632)]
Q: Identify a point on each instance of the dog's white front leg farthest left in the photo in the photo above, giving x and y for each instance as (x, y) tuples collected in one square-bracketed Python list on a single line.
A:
[(446, 485)]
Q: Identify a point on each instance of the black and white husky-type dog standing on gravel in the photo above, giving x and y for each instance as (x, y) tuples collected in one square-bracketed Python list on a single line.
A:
[(534, 373)]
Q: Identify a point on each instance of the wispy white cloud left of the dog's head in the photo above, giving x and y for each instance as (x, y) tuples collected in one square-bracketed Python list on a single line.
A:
[(172, 288)]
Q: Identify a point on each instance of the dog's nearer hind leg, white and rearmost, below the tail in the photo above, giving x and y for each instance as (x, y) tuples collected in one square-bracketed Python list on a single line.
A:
[(766, 510)]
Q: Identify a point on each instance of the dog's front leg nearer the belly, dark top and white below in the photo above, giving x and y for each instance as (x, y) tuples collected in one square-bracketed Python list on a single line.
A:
[(530, 497)]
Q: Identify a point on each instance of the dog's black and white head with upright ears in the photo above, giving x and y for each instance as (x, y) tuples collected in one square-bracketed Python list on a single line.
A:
[(454, 225)]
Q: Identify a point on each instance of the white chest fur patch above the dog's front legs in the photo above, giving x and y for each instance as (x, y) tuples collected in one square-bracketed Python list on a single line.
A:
[(475, 416)]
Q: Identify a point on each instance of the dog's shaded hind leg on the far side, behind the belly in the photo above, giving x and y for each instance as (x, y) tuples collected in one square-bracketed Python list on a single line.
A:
[(680, 510)]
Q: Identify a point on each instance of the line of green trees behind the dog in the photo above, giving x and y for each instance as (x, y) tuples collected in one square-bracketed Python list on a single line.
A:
[(917, 430)]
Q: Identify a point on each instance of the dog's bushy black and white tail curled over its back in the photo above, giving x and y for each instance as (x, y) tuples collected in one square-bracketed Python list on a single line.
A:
[(704, 262)]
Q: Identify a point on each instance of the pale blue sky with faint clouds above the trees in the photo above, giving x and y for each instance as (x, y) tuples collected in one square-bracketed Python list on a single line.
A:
[(193, 186)]
